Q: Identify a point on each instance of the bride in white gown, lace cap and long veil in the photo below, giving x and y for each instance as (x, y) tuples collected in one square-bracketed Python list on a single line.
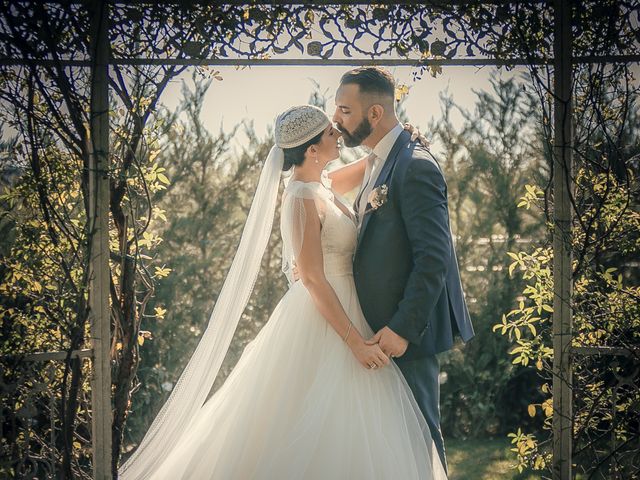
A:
[(308, 399)]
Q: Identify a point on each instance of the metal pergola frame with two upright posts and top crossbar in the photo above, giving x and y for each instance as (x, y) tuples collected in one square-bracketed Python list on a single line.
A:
[(562, 215)]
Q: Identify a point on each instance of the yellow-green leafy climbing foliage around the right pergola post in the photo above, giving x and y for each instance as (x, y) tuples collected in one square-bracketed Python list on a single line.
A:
[(605, 303)]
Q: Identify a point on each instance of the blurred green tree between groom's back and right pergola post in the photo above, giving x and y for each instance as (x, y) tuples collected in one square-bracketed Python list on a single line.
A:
[(487, 164)]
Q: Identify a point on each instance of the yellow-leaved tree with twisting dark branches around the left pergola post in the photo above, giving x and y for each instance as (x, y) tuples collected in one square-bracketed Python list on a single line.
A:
[(48, 105)]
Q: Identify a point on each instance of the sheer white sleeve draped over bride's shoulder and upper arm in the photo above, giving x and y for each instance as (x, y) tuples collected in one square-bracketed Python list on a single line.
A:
[(299, 200)]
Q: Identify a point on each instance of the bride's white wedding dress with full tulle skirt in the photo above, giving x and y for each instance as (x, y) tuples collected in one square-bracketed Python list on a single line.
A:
[(298, 405)]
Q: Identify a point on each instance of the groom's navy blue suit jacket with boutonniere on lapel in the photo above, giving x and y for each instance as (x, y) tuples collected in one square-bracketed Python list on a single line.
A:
[(405, 267)]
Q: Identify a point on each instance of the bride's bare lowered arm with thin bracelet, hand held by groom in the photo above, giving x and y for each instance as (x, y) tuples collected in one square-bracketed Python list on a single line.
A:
[(311, 270)]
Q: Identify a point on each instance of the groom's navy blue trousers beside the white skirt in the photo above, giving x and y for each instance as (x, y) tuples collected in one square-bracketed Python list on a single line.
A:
[(422, 376)]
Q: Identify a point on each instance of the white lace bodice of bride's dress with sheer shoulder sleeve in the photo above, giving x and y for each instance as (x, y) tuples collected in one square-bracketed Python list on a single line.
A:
[(339, 231)]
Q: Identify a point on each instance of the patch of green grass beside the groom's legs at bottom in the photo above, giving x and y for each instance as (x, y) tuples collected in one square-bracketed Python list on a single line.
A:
[(486, 459)]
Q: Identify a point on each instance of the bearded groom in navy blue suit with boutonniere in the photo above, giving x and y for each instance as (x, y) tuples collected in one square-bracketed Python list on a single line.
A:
[(405, 267)]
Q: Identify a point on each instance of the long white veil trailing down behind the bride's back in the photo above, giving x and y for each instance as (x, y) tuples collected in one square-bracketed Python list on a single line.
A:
[(196, 380)]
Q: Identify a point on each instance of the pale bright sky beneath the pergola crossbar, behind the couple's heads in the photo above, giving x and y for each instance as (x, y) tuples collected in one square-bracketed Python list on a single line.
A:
[(260, 93)]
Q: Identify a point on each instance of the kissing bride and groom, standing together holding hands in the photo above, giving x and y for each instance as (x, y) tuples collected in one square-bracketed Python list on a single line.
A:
[(342, 381)]
